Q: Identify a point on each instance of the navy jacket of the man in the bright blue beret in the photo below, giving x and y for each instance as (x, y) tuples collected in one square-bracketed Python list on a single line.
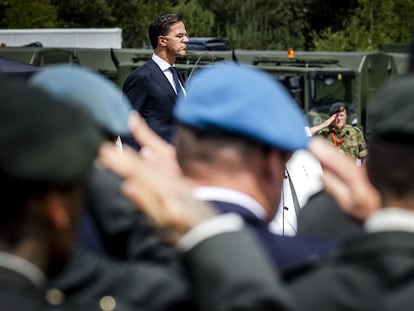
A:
[(287, 252)]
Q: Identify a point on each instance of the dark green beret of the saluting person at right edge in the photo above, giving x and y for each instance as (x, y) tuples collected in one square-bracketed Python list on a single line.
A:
[(391, 111)]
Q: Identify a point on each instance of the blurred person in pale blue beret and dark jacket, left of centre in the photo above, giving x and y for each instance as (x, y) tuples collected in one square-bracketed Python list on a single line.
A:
[(113, 235)]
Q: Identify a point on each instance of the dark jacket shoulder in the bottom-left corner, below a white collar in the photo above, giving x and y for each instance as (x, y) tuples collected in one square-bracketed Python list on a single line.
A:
[(18, 293)]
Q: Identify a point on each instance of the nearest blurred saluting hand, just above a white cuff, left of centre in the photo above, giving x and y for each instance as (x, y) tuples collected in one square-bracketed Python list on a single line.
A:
[(164, 196)]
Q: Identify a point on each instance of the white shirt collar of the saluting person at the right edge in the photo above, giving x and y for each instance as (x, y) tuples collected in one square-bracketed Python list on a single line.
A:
[(390, 219)]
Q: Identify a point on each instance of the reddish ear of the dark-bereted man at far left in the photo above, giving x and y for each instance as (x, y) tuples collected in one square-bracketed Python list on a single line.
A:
[(56, 211)]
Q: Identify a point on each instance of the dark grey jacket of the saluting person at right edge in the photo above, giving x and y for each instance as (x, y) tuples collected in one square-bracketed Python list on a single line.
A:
[(370, 272)]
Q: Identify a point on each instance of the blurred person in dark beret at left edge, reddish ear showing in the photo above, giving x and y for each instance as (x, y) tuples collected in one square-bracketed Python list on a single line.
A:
[(41, 180)]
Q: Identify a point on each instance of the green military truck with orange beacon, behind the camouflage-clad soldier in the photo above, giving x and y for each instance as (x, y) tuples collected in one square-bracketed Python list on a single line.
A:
[(318, 79)]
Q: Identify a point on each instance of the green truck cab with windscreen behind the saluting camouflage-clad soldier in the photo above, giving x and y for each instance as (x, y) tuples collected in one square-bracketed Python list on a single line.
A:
[(315, 84)]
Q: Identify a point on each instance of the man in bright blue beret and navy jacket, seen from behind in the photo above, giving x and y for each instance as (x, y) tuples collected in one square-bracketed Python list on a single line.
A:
[(237, 129)]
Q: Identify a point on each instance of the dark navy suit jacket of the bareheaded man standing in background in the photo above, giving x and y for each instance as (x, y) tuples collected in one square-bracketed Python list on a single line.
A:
[(152, 95)]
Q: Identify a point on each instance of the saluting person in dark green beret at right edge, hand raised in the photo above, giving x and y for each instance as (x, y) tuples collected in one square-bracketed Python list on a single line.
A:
[(372, 271)]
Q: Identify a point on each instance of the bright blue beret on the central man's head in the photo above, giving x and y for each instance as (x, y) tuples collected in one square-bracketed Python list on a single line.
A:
[(245, 101)]
